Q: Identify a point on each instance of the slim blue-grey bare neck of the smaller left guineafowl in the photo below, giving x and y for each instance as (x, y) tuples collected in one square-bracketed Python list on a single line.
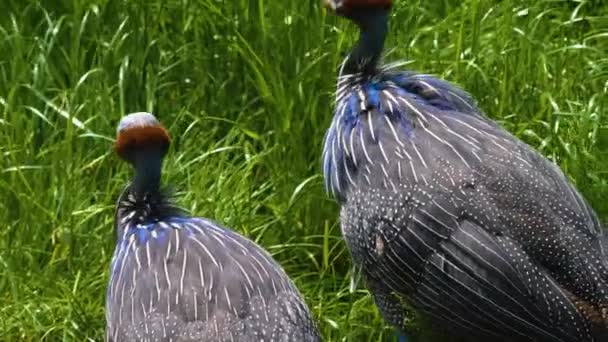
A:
[(148, 166)]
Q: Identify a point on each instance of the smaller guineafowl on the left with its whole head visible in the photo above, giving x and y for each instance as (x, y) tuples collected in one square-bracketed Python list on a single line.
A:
[(175, 277)]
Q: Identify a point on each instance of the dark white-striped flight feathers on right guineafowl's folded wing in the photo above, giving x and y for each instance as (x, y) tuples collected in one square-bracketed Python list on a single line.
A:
[(482, 282)]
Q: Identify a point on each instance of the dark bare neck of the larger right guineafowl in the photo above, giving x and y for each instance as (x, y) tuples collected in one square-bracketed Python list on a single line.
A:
[(373, 28)]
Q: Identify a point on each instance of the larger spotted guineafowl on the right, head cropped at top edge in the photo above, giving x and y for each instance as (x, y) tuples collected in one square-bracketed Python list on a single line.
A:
[(448, 214)]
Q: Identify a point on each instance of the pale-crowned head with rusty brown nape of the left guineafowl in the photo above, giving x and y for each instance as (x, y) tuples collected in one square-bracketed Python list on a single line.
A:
[(140, 134)]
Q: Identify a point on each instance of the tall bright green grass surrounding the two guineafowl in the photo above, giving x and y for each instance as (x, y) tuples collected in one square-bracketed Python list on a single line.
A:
[(245, 87)]
